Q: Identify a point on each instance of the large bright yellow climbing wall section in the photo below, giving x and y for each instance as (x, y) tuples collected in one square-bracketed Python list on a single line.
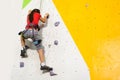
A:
[(95, 28)]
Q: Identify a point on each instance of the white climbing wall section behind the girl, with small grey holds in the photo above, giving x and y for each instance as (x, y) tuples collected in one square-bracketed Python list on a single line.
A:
[(60, 50)]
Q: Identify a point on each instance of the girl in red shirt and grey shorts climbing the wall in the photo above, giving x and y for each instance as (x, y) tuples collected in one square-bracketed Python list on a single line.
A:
[(31, 31)]
